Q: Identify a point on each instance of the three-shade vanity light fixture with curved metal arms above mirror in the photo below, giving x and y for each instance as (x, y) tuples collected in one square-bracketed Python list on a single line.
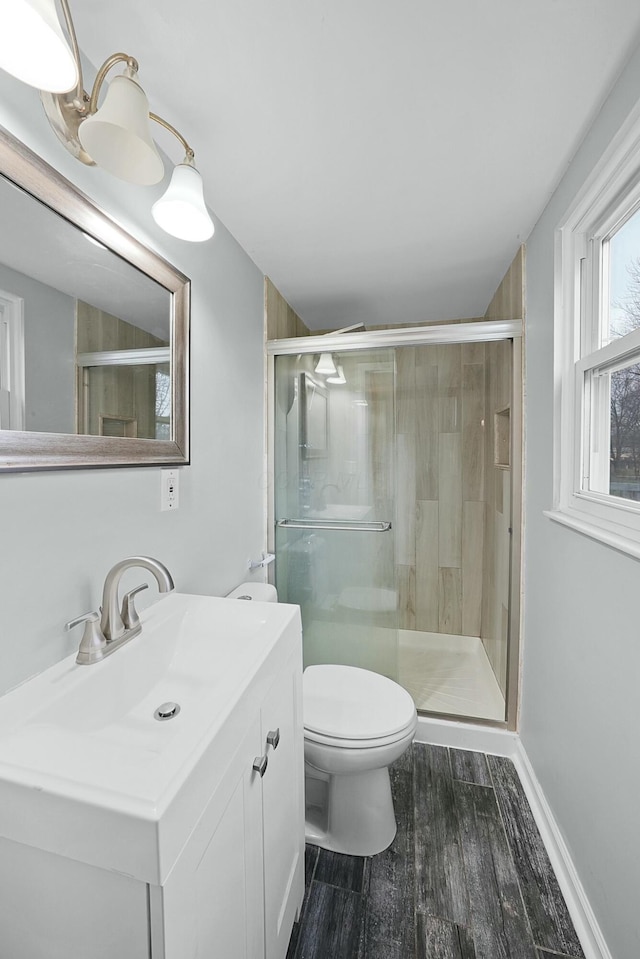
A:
[(115, 136)]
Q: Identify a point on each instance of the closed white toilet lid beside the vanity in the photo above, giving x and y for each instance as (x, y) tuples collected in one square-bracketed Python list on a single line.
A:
[(346, 702)]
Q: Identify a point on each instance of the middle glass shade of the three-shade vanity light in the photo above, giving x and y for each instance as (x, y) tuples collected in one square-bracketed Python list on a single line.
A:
[(118, 135)]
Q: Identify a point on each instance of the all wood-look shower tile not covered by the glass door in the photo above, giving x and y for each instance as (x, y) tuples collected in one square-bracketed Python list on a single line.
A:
[(452, 503)]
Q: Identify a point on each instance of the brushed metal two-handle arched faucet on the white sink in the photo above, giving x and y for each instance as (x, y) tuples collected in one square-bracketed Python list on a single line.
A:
[(117, 626)]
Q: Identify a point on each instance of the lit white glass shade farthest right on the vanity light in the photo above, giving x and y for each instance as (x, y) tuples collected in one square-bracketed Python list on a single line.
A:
[(181, 211)]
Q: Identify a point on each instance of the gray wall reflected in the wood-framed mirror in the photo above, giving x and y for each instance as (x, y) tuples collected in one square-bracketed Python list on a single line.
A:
[(49, 346)]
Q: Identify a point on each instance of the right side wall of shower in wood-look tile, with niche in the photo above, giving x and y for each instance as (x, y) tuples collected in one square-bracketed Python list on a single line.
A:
[(507, 304)]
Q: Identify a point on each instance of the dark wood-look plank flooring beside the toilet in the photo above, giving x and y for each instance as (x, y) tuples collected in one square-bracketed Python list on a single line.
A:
[(467, 876)]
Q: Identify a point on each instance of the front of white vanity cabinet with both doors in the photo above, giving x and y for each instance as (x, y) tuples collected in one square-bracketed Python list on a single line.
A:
[(238, 884)]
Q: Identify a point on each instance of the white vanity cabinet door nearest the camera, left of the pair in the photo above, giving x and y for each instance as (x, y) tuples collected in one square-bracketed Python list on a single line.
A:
[(211, 906)]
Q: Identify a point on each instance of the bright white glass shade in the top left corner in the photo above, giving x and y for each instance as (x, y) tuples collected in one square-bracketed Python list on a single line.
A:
[(34, 48)]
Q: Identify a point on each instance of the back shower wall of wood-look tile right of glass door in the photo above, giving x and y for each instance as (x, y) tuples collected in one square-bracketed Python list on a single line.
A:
[(440, 487)]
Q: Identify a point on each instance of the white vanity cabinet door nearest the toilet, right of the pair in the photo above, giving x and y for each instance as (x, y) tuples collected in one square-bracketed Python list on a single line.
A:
[(283, 808)]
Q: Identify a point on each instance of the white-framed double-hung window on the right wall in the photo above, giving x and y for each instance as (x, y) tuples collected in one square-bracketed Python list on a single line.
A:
[(597, 317)]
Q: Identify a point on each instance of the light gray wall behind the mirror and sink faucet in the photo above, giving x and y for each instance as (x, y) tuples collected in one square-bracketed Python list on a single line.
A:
[(62, 531)]
